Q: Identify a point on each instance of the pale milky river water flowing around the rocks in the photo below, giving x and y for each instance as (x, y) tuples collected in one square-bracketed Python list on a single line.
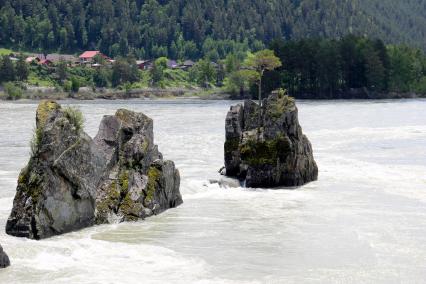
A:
[(364, 220)]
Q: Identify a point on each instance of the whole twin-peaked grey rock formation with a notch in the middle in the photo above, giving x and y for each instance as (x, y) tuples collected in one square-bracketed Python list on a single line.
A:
[(72, 181)]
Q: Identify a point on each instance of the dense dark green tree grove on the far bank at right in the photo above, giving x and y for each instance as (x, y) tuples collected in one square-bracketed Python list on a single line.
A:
[(324, 68)]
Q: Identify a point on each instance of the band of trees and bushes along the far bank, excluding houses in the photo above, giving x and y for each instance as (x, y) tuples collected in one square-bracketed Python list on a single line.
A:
[(308, 68)]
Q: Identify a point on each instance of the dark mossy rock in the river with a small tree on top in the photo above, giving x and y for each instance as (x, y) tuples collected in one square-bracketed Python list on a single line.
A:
[(265, 145)]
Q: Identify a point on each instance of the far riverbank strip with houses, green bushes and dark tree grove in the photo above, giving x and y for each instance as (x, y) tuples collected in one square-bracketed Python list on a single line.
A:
[(349, 68)]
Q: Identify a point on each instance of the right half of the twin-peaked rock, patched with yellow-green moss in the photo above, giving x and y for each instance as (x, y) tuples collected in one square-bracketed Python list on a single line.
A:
[(140, 183)]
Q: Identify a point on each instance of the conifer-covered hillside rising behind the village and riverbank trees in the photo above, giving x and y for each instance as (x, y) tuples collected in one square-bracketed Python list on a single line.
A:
[(195, 28)]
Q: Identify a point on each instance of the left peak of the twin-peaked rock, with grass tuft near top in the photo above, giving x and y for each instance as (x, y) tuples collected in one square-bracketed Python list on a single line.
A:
[(55, 190)]
